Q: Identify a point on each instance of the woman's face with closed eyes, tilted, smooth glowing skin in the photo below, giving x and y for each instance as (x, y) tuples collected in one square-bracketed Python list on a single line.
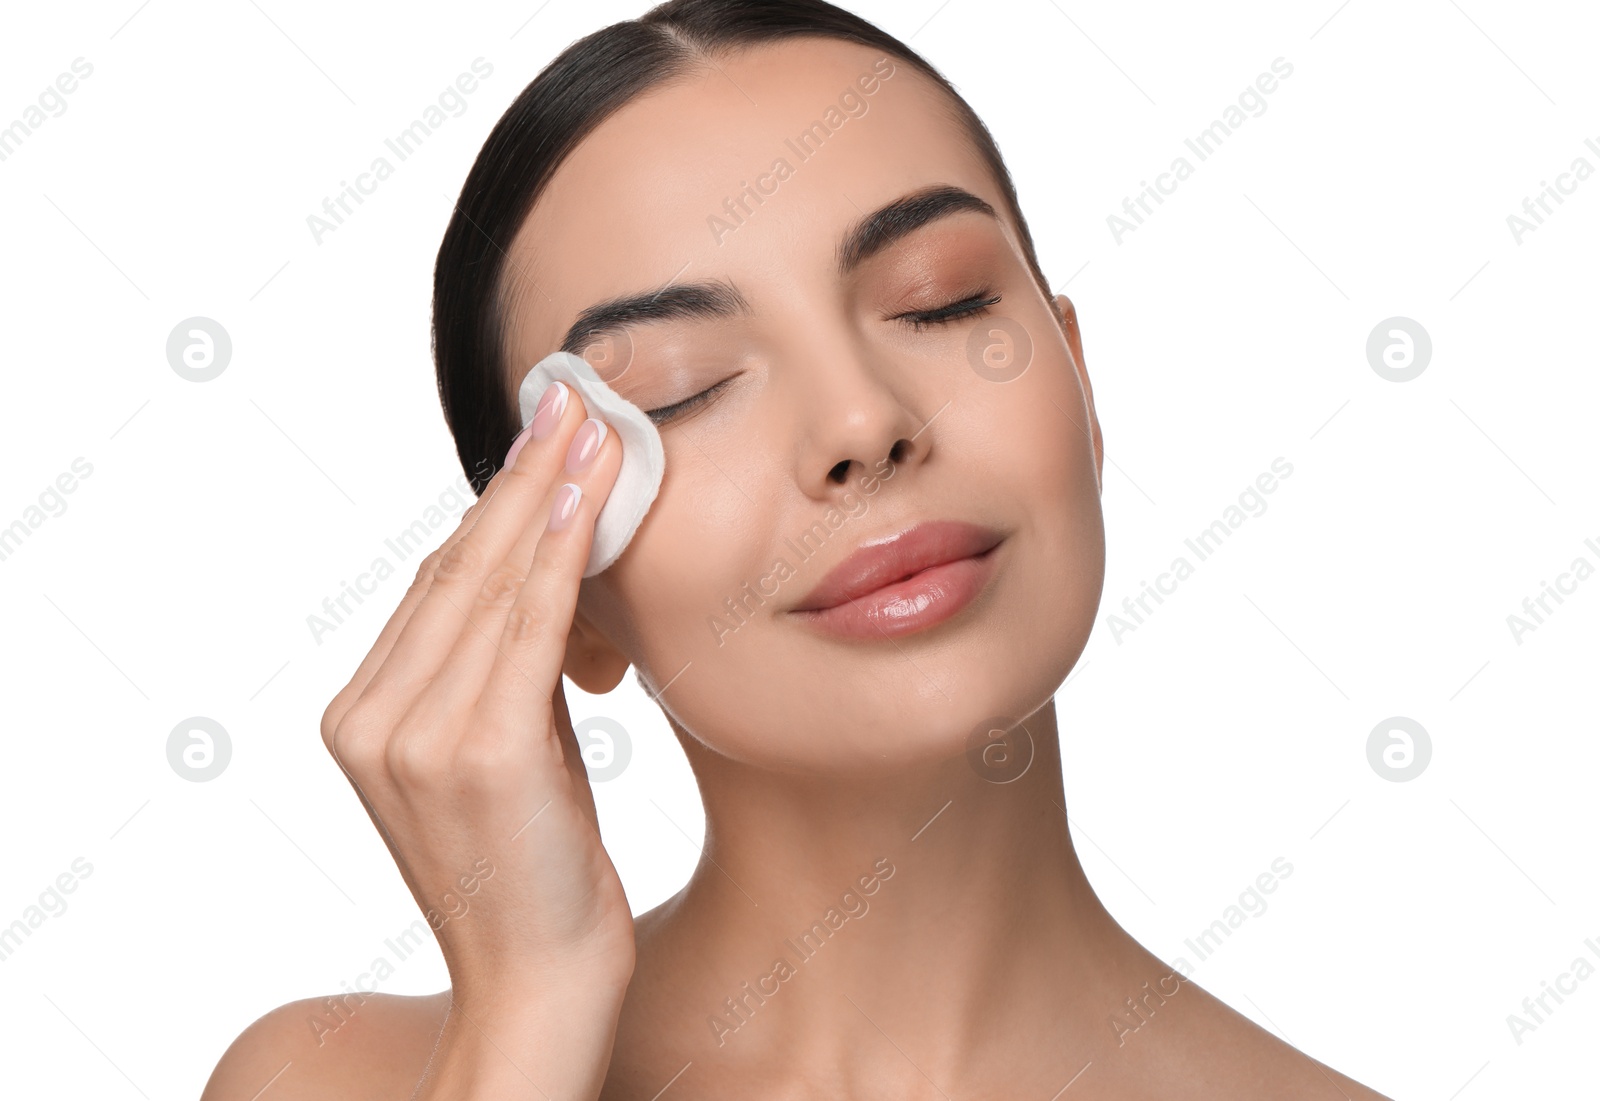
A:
[(823, 372)]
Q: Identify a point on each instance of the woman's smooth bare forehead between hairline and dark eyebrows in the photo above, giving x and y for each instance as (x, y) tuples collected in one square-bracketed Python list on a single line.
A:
[(745, 170)]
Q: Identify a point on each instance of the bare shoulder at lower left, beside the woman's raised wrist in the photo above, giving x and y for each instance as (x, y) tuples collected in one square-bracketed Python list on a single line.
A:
[(350, 1047)]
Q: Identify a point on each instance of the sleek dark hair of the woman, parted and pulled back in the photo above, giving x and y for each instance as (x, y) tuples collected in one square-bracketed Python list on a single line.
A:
[(575, 94)]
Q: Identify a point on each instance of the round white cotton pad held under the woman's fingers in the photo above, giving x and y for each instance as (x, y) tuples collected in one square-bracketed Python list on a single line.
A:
[(644, 460)]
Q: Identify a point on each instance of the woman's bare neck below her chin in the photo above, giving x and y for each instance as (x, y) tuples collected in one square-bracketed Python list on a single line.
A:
[(932, 908)]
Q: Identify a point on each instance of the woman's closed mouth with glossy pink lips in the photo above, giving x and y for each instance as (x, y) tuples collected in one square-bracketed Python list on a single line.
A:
[(910, 582)]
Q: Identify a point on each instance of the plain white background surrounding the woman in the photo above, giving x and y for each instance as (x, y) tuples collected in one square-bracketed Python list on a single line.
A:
[(1226, 332)]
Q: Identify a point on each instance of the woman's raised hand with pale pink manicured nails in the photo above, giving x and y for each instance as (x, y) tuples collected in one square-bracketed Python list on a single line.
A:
[(457, 737)]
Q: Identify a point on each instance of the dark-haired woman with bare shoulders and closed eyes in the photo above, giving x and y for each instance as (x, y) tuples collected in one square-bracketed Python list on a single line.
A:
[(786, 238)]
